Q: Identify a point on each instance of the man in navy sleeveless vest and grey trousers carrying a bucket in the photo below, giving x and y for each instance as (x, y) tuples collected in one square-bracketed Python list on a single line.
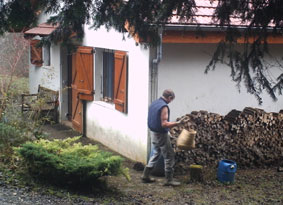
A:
[(159, 124)]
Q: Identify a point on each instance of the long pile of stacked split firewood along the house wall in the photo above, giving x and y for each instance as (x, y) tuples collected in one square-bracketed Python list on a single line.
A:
[(252, 138)]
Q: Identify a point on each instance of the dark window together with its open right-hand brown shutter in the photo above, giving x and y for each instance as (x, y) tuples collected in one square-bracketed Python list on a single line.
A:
[(115, 79)]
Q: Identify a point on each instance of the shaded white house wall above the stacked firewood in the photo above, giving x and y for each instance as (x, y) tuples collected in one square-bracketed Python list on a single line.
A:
[(182, 69)]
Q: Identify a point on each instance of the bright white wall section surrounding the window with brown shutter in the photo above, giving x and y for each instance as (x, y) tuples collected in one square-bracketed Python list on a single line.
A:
[(124, 133)]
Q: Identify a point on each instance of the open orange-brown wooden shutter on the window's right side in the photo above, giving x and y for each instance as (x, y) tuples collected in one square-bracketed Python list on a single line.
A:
[(120, 81)]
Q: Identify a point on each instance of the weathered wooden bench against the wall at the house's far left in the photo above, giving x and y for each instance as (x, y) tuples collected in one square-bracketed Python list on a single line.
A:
[(45, 103)]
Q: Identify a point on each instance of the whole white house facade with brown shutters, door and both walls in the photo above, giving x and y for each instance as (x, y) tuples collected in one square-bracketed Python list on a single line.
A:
[(107, 85)]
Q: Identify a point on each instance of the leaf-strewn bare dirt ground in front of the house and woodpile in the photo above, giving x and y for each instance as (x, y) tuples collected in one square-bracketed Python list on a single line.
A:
[(252, 186)]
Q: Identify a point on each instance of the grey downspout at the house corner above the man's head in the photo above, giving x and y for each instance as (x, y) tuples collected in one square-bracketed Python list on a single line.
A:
[(154, 70)]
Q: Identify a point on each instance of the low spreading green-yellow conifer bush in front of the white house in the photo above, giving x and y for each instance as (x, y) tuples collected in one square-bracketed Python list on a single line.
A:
[(65, 162)]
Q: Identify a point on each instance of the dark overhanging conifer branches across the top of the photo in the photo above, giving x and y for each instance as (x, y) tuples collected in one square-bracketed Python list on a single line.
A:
[(261, 18)]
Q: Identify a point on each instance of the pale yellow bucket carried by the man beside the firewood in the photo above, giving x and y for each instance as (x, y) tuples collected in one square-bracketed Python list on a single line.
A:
[(186, 139)]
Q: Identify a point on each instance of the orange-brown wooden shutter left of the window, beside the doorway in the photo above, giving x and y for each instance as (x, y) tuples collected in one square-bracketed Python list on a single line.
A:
[(83, 72)]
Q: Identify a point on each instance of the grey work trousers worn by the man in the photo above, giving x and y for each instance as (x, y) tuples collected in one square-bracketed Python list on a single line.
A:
[(162, 145)]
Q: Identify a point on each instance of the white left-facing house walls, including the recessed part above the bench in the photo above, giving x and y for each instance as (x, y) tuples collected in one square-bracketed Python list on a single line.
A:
[(124, 133)]
